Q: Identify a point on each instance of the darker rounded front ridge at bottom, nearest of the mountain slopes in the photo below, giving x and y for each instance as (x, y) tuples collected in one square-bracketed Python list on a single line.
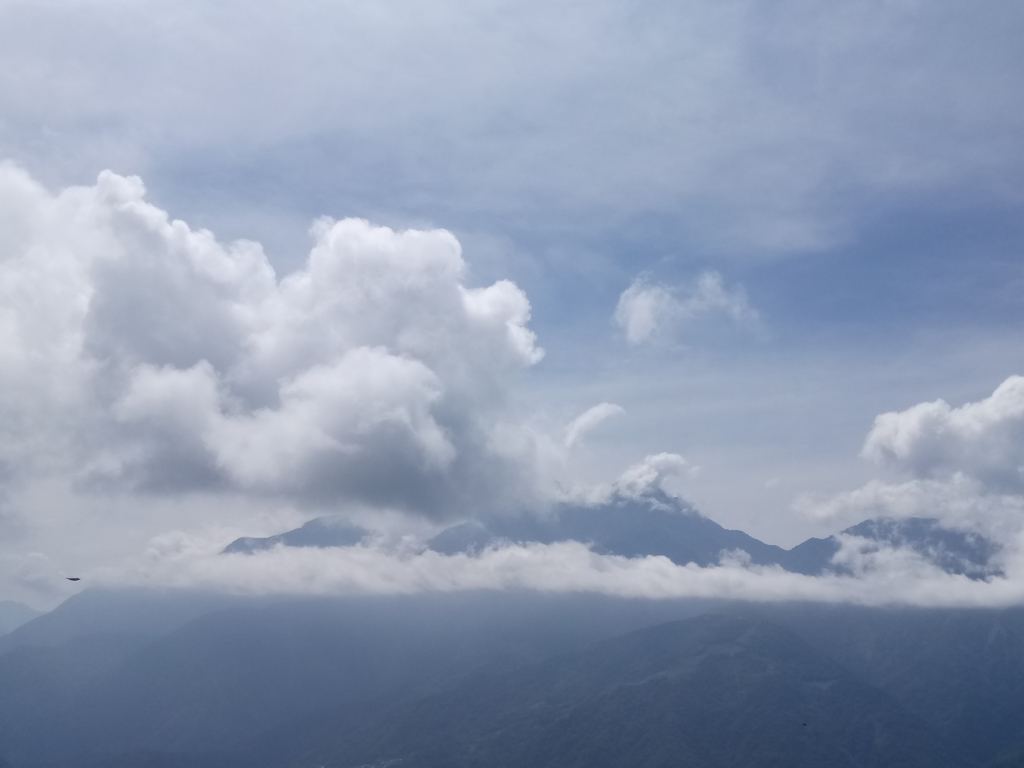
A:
[(710, 692)]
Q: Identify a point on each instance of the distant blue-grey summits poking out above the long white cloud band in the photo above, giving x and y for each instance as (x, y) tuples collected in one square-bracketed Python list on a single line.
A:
[(656, 524)]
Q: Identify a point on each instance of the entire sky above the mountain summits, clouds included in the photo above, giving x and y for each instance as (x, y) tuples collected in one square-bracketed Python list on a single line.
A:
[(419, 263)]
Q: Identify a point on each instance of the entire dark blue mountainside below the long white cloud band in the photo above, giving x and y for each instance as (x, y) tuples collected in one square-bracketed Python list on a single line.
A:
[(507, 679)]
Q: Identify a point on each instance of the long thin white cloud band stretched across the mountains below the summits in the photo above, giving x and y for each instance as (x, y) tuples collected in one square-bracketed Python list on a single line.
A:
[(882, 576)]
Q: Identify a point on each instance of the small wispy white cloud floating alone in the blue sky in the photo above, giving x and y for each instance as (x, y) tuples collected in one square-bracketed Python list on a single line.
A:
[(648, 311)]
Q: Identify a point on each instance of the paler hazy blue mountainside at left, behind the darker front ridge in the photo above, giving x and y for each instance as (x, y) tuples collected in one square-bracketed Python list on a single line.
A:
[(110, 682)]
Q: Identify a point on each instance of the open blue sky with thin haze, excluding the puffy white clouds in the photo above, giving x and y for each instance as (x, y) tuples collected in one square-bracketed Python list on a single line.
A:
[(852, 173)]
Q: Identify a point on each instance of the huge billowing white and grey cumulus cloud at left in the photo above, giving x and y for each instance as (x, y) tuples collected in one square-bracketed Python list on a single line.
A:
[(141, 356)]
